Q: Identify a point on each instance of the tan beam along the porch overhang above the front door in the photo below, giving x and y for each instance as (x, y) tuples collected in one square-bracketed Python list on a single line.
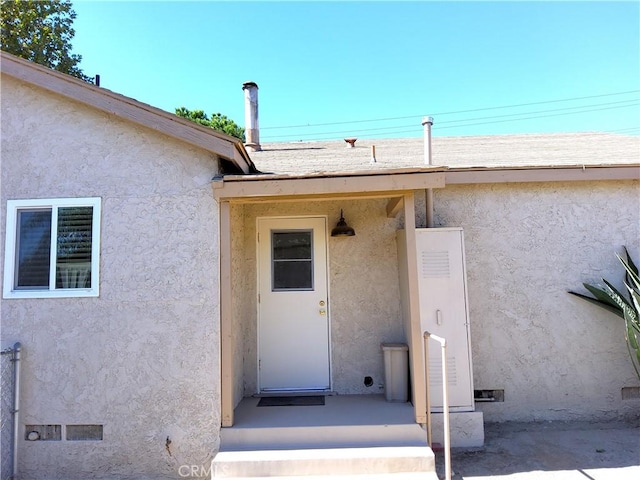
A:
[(251, 188)]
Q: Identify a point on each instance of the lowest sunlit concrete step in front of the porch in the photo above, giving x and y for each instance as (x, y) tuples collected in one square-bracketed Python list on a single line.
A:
[(361, 463)]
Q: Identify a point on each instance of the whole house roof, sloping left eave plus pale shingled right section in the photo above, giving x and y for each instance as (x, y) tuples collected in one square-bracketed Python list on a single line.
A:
[(560, 152)]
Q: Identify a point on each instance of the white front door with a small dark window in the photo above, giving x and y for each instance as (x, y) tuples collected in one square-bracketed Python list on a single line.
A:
[(293, 314)]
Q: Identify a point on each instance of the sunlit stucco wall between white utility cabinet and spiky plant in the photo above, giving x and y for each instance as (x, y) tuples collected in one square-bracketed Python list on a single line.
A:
[(555, 356)]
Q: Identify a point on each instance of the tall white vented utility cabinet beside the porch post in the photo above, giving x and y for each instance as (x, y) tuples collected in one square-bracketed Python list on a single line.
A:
[(443, 310)]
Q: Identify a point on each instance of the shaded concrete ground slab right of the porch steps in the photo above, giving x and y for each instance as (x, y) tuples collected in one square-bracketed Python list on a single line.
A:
[(550, 451)]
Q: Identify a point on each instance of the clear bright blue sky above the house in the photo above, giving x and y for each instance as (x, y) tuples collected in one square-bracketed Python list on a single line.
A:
[(373, 69)]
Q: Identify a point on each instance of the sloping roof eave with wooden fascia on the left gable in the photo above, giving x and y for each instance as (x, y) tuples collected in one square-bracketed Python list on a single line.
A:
[(222, 145)]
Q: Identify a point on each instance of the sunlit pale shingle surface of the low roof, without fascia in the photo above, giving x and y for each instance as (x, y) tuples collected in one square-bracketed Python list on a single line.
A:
[(497, 151)]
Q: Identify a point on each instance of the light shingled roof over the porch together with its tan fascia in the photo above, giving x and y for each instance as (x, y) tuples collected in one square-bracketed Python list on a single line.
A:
[(331, 168)]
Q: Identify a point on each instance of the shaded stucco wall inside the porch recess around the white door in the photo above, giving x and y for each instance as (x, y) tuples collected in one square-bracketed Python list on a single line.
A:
[(364, 299)]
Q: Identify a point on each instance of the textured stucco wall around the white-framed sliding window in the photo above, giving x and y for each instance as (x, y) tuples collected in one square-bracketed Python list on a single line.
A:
[(141, 359)]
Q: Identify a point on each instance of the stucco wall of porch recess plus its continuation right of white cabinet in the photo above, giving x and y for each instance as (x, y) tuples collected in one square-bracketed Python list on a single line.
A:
[(555, 356)]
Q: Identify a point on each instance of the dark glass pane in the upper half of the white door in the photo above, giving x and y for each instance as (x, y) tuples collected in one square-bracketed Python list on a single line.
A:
[(292, 260)]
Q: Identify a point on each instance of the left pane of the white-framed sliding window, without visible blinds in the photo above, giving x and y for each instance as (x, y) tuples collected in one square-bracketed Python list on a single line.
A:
[(34, 249)]
